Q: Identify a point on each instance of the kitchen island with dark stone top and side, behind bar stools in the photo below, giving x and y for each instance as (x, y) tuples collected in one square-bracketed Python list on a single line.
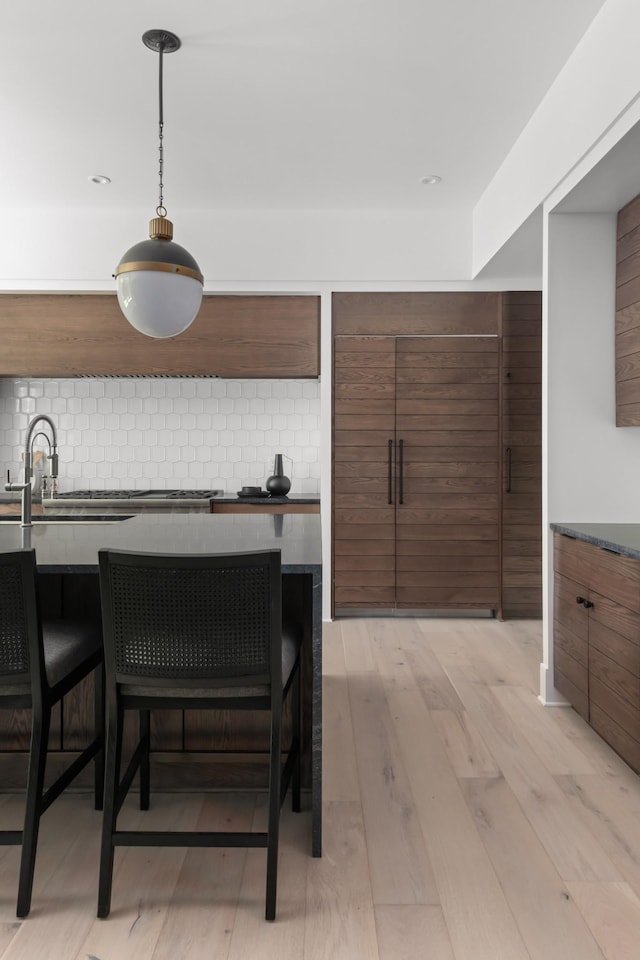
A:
[(186, 752)]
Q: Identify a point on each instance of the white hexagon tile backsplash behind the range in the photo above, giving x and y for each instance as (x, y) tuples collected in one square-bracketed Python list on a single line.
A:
[(138, 433)]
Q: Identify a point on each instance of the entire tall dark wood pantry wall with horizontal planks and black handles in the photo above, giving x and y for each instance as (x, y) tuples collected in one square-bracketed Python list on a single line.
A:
[(436, 453)]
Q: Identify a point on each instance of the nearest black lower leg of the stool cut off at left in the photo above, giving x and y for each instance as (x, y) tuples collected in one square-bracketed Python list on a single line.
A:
[(33, 805)]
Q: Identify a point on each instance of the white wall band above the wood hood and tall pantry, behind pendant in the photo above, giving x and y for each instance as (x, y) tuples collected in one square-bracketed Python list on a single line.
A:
[(49, 250)]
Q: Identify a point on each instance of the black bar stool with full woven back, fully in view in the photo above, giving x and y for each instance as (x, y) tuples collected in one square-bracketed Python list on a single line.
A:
[(195, 632)]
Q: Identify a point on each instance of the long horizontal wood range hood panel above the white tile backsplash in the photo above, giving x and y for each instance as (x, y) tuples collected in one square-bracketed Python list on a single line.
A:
[(68, 335)]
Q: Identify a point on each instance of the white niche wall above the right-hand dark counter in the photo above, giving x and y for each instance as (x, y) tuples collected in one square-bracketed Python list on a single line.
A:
[(593, 466)]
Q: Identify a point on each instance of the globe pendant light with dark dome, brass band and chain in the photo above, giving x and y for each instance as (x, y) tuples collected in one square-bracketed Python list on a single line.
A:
[(158, 282)]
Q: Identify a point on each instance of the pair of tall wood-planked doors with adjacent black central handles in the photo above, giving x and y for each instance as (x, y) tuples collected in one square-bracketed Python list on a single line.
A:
[(416, 473)]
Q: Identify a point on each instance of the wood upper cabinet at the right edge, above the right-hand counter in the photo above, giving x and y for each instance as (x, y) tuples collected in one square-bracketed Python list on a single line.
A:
[(628, 316)]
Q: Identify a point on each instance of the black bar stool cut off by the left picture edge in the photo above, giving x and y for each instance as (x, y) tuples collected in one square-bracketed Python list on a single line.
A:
[(40, 662)]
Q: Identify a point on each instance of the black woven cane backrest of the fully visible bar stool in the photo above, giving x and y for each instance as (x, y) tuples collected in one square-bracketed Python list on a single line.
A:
[(191, 620)]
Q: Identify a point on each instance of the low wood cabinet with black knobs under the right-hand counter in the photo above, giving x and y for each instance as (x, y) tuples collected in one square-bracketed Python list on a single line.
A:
[(597, 640)]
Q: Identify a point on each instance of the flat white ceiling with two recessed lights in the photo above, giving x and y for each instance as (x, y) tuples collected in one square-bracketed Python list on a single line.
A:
[(286, 104)]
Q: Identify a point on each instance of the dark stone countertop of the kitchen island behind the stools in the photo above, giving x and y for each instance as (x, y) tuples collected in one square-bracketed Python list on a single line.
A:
[(73, 547)]
